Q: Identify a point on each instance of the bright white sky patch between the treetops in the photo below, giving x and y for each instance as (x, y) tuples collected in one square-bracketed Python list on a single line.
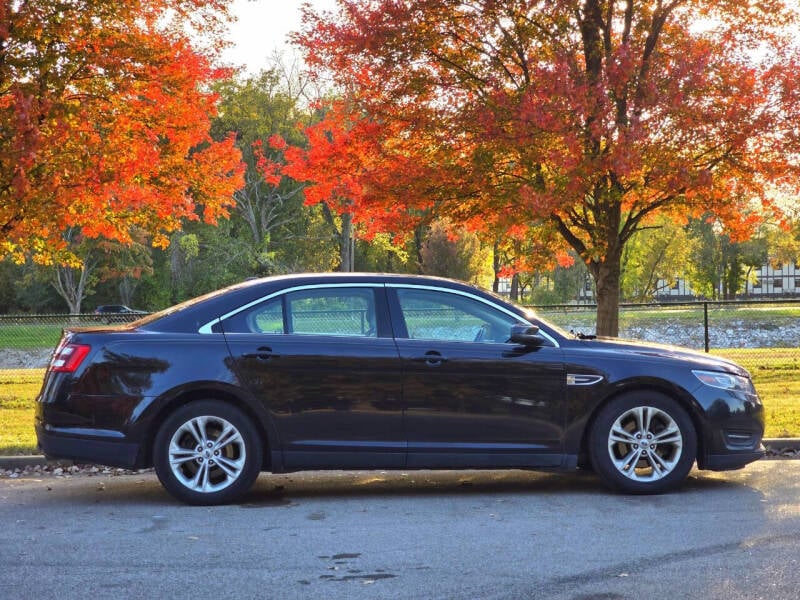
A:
[(262, 27)]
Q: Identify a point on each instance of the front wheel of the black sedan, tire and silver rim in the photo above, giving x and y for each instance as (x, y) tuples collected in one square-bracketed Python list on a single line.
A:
[(643, 443)]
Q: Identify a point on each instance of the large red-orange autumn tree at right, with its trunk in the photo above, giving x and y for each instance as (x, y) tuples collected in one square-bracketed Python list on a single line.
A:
[(585, 118)]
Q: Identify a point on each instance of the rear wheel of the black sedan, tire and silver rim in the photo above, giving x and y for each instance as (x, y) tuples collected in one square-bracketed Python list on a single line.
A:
[(207, 452)]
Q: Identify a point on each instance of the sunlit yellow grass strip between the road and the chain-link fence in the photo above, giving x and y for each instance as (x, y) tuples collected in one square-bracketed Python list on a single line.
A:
[(776, 372)]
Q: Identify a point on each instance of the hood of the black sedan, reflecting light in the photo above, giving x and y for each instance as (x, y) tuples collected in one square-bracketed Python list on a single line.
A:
[(648, 350)]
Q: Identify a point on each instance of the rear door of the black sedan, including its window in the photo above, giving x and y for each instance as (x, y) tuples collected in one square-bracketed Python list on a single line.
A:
[(323, 362)]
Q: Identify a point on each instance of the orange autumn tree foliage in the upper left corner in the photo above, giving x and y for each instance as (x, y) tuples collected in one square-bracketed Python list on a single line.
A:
[(105, 112)]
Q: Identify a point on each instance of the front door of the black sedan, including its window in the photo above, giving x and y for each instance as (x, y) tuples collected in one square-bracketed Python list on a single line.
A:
[(473, 399)]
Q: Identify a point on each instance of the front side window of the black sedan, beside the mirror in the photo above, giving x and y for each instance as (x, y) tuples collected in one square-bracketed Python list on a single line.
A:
[(438, 315)]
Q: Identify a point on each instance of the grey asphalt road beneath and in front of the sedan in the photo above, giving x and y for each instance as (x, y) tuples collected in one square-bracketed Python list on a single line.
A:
[(436, 535)]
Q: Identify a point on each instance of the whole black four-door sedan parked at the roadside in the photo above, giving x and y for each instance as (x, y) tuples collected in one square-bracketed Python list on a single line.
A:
[(361, 371)]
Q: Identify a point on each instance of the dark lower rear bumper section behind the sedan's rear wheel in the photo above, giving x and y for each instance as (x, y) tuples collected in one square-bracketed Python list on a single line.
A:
[(90, 449)]
